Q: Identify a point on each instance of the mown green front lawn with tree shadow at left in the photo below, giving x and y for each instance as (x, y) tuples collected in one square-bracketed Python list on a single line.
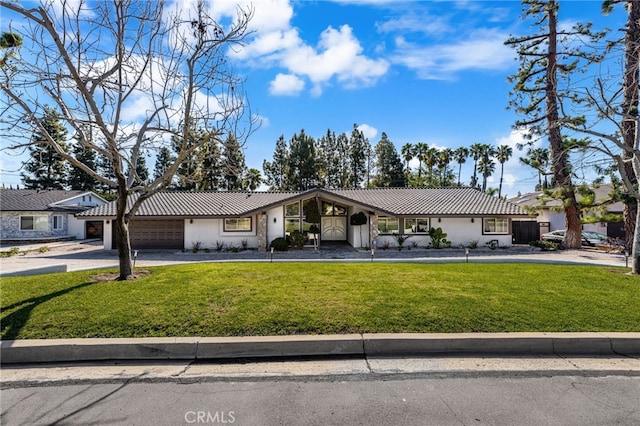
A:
[(322, 298)]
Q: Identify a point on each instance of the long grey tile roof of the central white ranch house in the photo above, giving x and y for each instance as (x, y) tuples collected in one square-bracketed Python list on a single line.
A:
[(394, 201)]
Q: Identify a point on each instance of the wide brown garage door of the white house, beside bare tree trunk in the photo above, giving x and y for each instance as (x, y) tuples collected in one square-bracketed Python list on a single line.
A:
[(155, 234)]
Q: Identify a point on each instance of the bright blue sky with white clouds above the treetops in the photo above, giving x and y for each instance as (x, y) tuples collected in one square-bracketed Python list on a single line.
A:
[(420, 71)]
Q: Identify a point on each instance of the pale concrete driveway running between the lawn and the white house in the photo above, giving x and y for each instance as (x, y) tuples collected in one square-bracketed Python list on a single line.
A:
[(81, 255)]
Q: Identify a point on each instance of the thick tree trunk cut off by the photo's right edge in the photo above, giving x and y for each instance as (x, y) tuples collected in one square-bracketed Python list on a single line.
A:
[(630, 107)]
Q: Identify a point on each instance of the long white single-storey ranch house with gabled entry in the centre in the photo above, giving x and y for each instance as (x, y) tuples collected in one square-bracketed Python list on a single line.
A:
[(180, 220)]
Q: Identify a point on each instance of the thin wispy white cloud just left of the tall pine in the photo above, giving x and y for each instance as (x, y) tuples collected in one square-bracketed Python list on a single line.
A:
[(484, 50)]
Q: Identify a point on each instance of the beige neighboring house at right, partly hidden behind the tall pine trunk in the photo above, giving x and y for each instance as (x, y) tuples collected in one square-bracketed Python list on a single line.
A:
[(550, 215)]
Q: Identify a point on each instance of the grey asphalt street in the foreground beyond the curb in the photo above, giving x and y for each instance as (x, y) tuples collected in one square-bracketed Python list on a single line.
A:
[(559, 400)]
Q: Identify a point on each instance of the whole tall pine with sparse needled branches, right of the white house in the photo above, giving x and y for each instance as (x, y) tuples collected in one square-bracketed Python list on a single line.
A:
[(537, 93)]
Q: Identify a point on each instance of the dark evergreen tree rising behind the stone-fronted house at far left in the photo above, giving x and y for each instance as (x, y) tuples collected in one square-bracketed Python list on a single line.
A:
[(45, 168)]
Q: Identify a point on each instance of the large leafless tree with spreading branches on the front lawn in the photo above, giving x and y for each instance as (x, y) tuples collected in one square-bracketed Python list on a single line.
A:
[(126, 76)]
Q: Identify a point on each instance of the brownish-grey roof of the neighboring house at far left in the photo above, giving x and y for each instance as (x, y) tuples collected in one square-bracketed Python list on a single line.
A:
[(34, 199)]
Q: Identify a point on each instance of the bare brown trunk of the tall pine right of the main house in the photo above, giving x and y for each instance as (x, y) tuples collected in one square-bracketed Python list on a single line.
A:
[(560, 161)]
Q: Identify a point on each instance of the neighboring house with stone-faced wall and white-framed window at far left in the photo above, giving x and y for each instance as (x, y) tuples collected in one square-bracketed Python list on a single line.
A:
[(32, 215)]
